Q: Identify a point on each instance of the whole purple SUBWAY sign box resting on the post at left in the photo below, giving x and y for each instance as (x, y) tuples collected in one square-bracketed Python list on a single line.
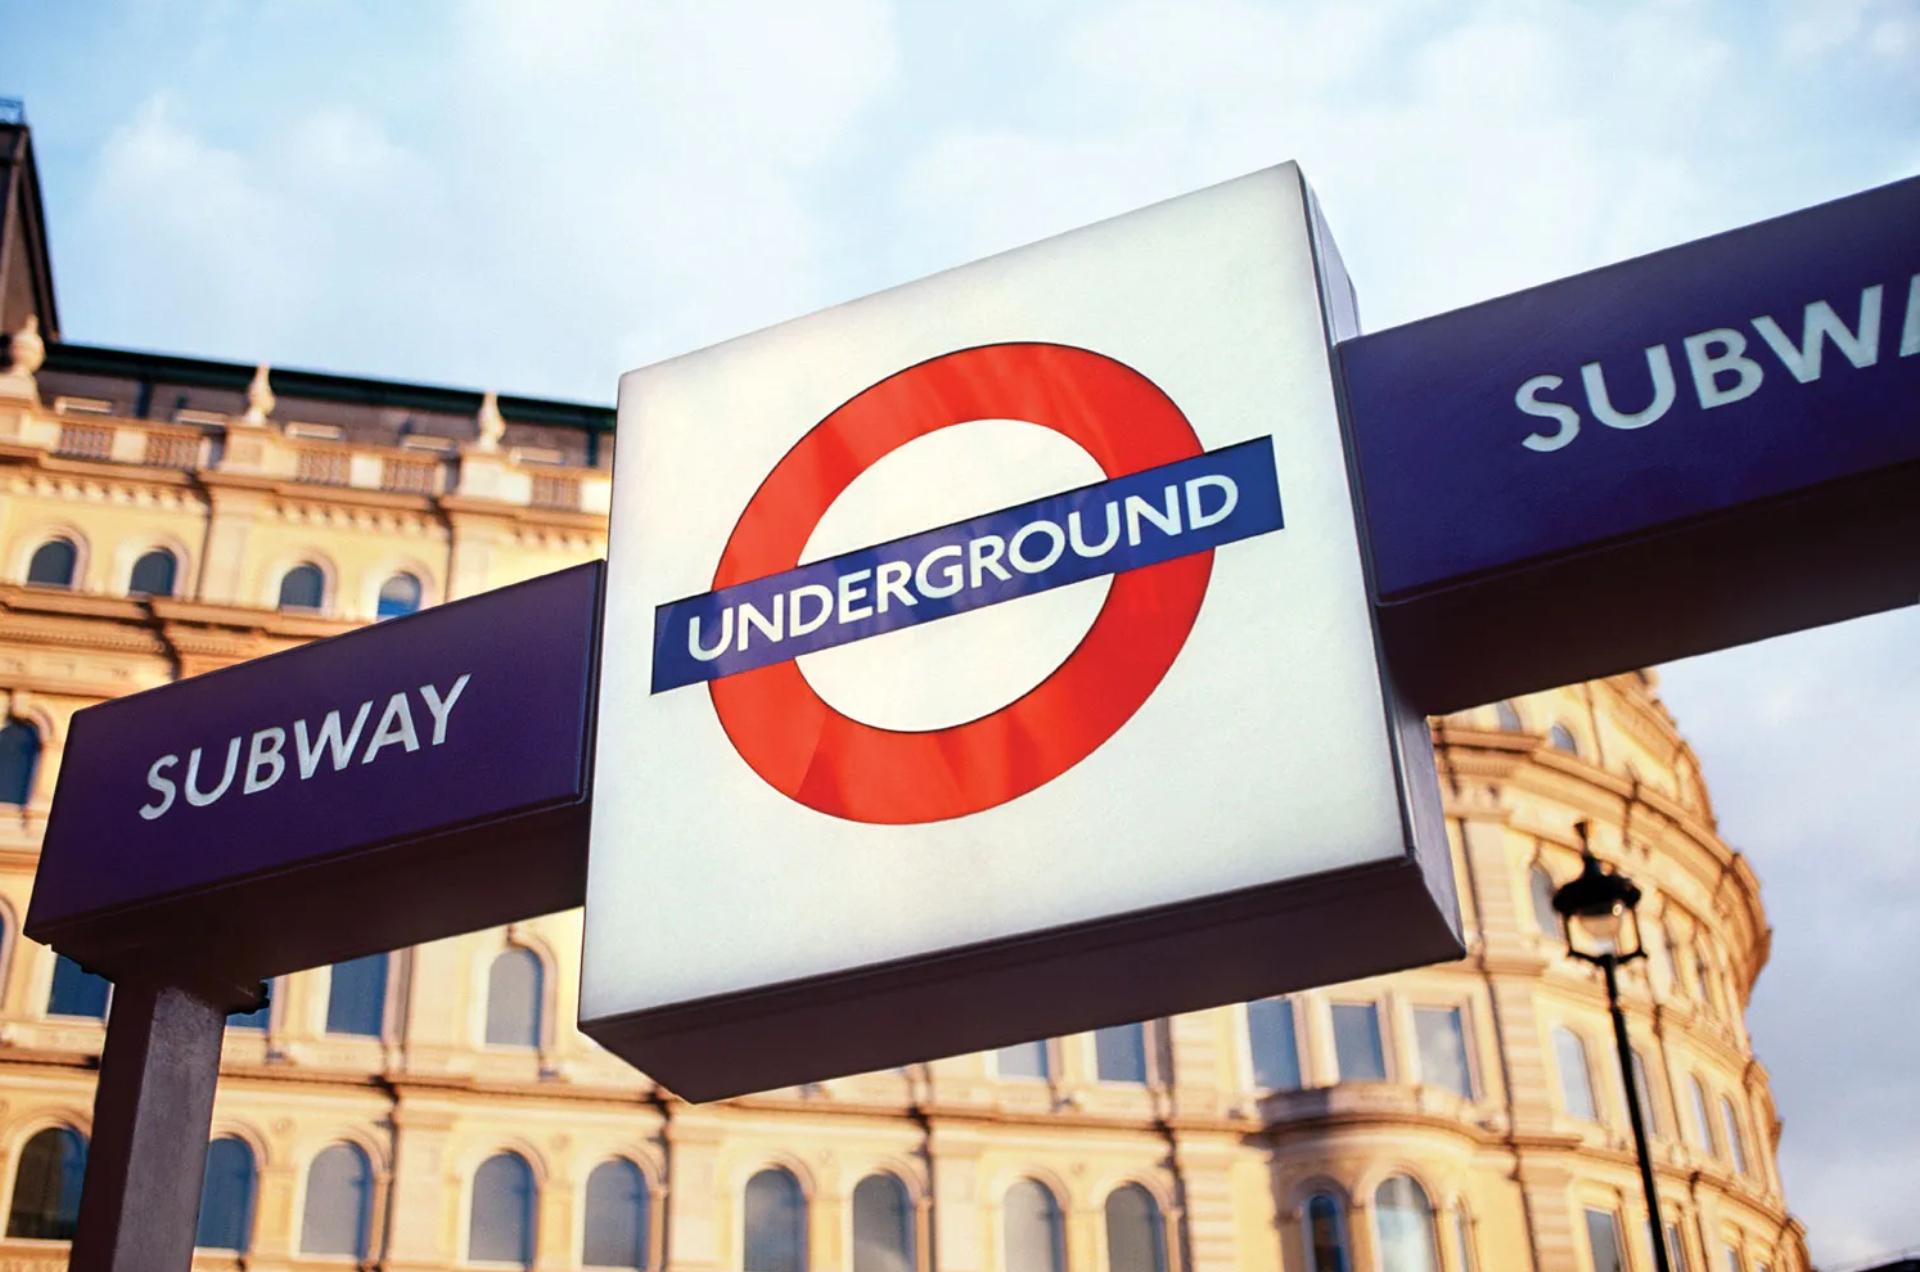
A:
[(387, 787)]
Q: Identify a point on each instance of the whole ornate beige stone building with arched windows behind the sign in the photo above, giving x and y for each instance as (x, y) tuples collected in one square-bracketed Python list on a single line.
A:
[(437, 1110)]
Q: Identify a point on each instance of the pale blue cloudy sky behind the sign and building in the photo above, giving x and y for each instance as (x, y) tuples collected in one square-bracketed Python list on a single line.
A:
[(539, 197)]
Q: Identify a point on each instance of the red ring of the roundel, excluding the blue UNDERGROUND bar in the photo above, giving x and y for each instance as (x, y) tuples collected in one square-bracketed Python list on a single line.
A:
[(807, 750)]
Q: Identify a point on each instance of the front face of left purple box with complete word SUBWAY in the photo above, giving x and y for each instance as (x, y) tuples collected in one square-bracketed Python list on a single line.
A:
[(456, 716)]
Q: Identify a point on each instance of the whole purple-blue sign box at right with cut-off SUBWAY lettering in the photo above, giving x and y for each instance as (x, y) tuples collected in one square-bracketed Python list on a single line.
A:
[(1675, 454)]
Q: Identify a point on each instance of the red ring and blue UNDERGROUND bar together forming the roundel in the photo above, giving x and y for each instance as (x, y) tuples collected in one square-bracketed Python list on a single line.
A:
[(1153, 524)]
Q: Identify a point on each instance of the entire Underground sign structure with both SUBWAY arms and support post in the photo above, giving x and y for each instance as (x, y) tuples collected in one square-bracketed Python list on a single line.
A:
[(1024, 650)]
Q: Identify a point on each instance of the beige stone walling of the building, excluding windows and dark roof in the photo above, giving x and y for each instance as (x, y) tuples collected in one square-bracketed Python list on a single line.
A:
[(1230, 1167)]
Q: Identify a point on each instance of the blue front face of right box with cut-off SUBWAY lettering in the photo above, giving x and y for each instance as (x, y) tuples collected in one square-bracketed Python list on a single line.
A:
[(1679, 385)]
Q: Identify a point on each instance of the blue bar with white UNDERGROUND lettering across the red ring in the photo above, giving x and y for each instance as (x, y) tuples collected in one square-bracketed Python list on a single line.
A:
[(1109, 527)]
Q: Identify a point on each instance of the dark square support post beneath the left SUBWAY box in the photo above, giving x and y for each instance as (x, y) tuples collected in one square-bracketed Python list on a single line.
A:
[(153, 1113)]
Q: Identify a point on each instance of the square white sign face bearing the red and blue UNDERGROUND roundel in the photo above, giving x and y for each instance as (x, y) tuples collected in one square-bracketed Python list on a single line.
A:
[(1009, 600)]
